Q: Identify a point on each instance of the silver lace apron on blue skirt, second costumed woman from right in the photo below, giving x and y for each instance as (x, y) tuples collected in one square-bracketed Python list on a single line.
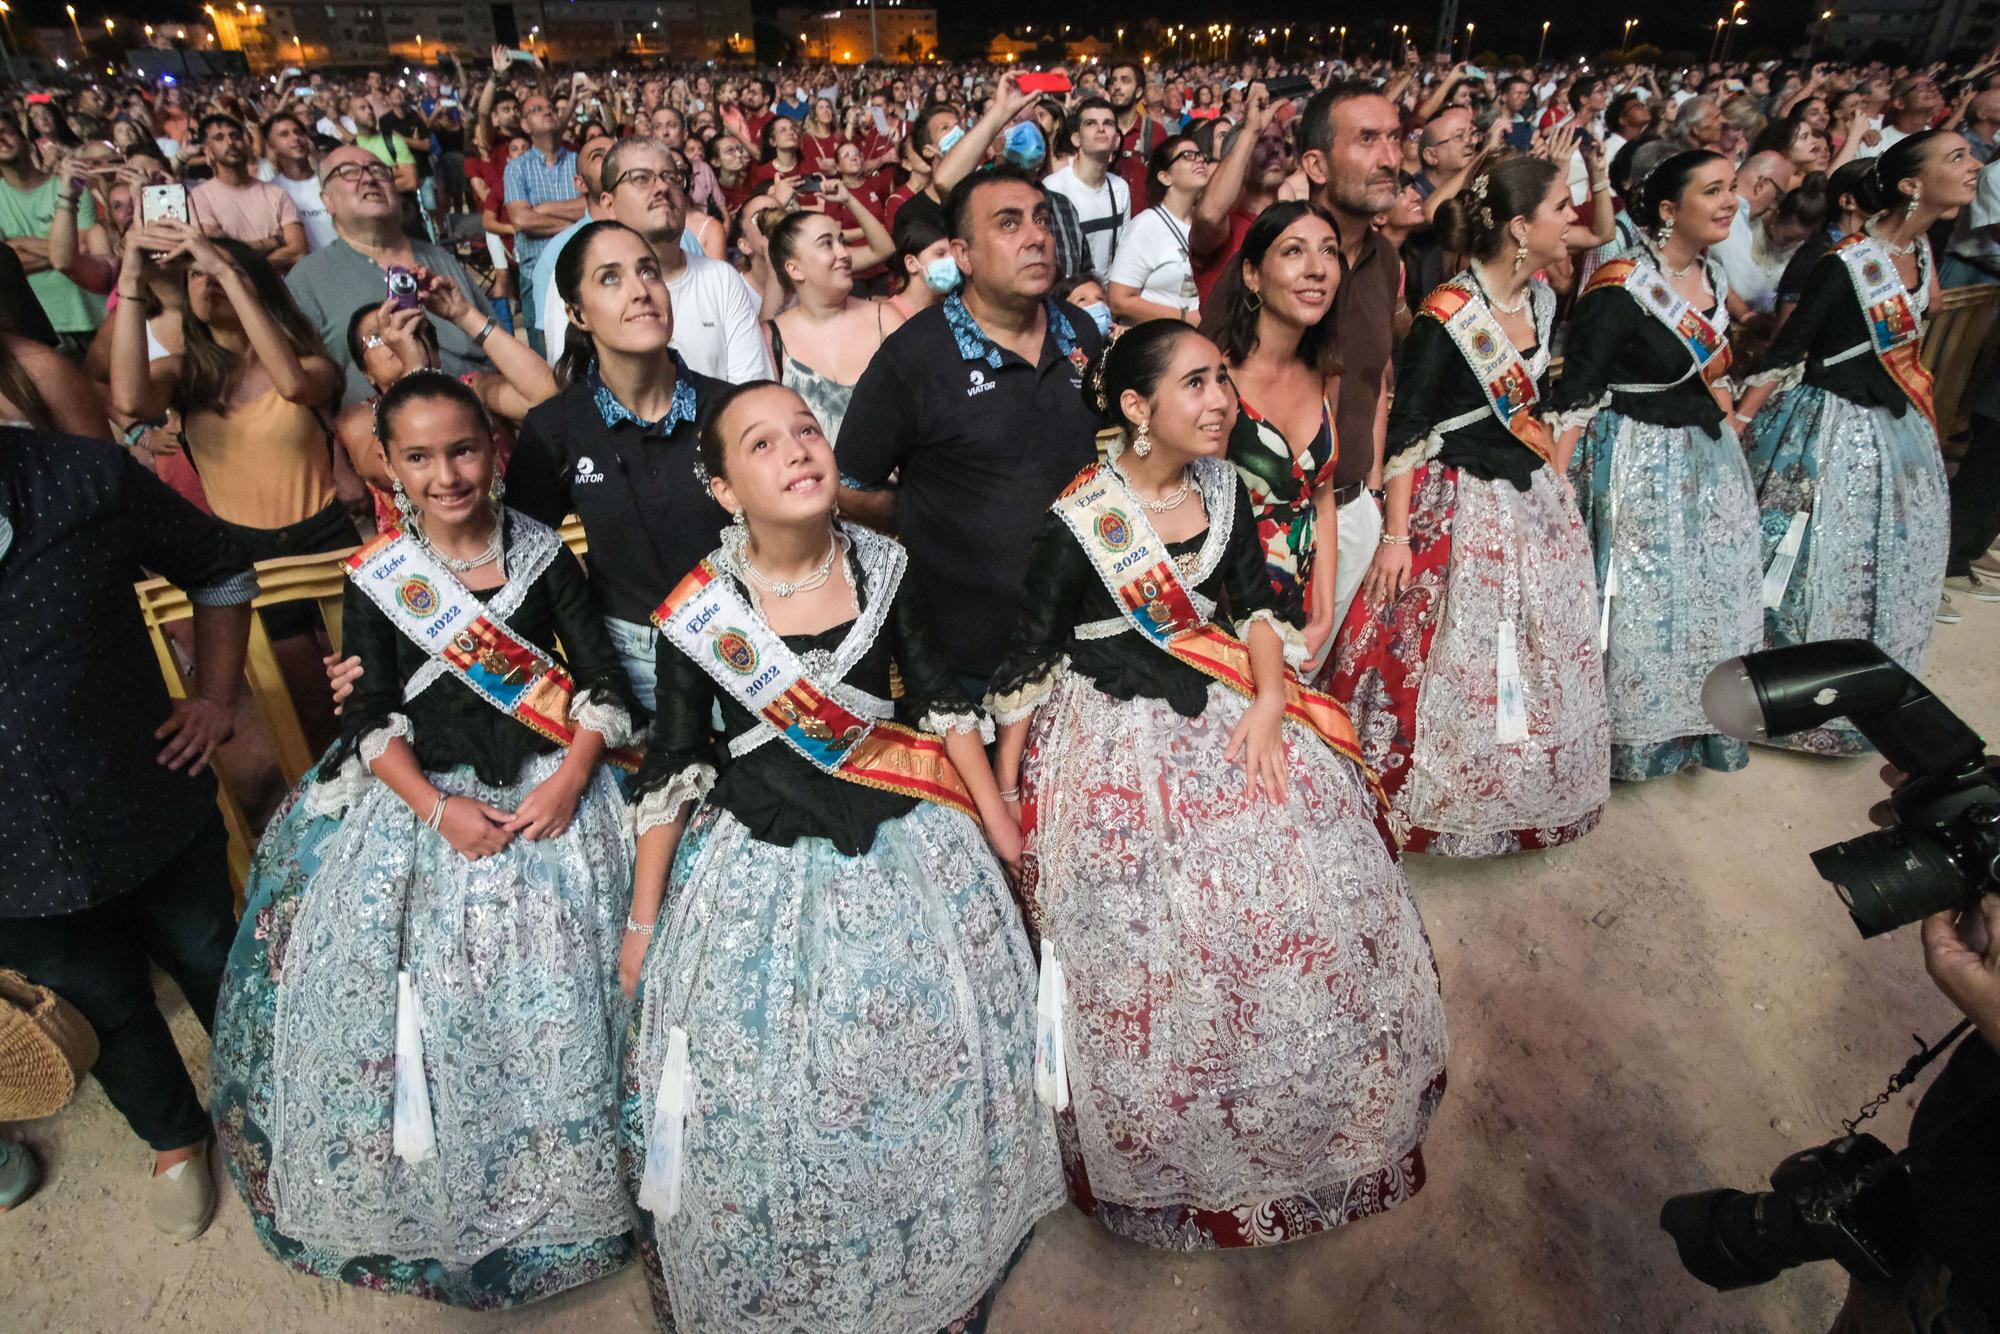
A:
[(1689, 573)]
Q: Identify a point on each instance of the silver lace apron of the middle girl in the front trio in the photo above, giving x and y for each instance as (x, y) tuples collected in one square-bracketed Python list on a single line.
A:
[(865, 1149)]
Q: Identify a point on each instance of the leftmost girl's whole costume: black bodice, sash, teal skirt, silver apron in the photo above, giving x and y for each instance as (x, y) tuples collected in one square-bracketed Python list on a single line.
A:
[(381, 971)]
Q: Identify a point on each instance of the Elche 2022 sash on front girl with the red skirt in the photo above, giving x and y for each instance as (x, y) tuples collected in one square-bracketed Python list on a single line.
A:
[(1145, 583)]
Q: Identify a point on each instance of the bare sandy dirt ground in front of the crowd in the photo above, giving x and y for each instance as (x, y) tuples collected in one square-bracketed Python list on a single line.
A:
[(1673, 1005)]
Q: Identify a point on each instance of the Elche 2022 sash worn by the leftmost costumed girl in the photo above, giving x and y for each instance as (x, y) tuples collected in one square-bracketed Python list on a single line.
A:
[(439, 615)]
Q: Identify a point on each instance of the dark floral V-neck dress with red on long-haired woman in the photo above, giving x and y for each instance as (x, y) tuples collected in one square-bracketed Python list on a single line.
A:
[(1283, 483)]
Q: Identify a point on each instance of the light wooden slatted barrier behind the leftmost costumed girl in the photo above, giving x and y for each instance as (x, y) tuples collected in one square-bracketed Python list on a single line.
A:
[(295, 579)]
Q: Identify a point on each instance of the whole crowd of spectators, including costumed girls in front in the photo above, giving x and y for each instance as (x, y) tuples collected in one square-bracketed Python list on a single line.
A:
[(1049, 559)]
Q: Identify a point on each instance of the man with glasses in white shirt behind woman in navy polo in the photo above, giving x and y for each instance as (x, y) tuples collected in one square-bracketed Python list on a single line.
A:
[(715, 311)]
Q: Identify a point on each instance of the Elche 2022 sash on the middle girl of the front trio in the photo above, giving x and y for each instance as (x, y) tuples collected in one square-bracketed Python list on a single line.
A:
[(723, 633)]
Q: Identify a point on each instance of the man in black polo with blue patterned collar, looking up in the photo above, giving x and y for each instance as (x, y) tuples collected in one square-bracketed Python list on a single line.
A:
[(979, 407)]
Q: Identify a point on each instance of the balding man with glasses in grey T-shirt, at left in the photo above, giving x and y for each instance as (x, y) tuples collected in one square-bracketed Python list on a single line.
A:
[(353, 271)]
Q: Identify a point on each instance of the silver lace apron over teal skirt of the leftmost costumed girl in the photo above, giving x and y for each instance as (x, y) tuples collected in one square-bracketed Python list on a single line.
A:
[(517, 975)]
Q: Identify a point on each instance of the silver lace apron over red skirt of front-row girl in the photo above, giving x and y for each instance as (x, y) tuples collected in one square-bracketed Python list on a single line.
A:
[(1253, 1005)]
